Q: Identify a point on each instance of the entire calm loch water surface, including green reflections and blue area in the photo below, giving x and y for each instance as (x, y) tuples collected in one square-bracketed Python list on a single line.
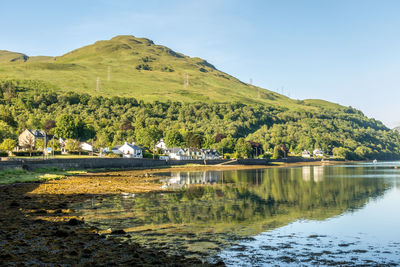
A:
[(312, 215)]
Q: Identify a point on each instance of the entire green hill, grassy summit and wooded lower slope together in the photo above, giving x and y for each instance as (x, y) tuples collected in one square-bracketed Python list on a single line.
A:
[(36, 92)]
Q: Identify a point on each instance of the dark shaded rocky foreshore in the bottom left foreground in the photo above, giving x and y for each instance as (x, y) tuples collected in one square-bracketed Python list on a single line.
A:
[(37, 230)]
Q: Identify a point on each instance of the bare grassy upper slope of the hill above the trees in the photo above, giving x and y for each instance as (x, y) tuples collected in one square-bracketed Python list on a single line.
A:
[(136, 67)]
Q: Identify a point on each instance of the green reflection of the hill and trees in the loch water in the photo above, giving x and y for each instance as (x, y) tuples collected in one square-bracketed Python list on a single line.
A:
[(235, 204)]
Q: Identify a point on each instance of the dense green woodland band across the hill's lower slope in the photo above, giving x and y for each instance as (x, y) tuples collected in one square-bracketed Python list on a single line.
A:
[(107, 121)]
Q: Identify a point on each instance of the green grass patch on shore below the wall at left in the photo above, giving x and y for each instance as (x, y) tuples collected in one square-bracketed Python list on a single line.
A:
[(10, 176)]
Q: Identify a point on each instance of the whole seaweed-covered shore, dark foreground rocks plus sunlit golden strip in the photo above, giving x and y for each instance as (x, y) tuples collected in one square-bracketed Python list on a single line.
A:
[(38, 226)]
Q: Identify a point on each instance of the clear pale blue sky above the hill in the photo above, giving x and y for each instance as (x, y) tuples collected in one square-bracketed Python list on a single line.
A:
[(345, 51)]
